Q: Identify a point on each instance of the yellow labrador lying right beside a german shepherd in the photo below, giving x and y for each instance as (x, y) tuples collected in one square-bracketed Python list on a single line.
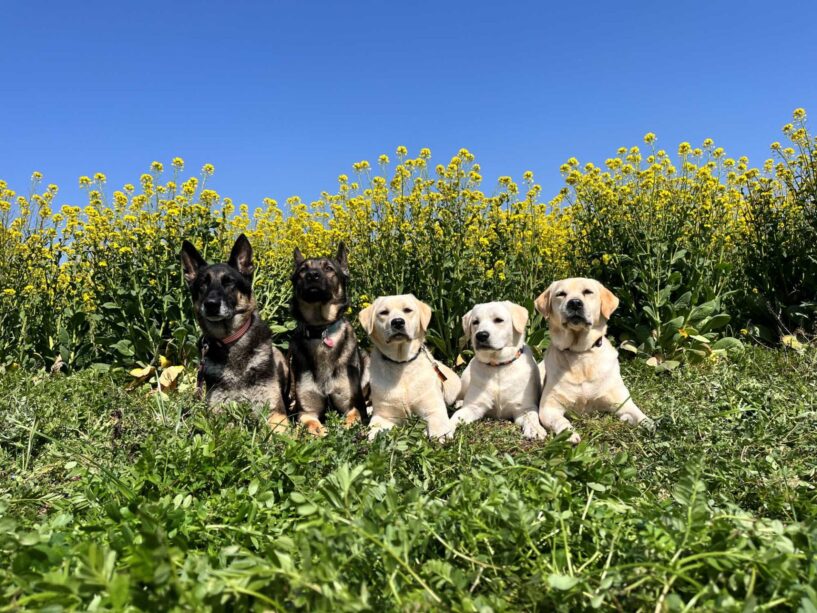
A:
[(403, 377)]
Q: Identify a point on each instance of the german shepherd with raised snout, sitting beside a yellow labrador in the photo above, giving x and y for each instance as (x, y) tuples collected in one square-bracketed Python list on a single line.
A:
[(327, 368)]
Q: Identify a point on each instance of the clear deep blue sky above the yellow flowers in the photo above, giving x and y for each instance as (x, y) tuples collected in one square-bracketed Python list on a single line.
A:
[(283, 96)]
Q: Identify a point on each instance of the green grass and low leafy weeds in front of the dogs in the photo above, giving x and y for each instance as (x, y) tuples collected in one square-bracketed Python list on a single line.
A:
[(110, 500)]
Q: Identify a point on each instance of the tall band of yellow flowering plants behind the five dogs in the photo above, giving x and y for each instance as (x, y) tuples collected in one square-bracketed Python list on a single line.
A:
[(689, 246)]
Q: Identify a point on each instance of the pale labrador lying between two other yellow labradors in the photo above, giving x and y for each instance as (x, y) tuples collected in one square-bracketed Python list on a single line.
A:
[(502, 380)]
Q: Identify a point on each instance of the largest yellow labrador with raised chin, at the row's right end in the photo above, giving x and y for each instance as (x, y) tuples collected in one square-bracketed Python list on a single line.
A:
[(581, 367)]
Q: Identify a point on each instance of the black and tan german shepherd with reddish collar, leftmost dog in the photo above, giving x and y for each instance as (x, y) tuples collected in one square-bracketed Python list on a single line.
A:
[(238, 359)]
